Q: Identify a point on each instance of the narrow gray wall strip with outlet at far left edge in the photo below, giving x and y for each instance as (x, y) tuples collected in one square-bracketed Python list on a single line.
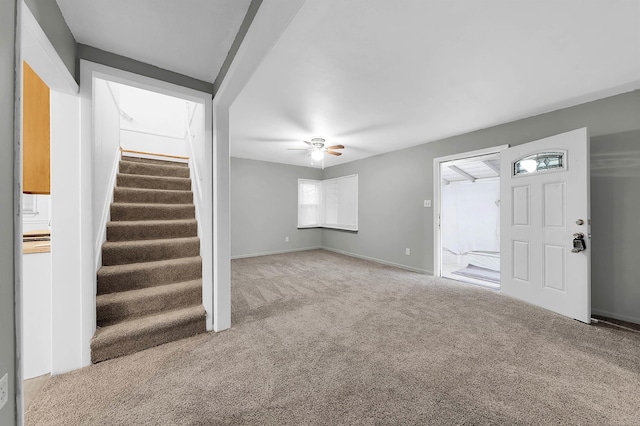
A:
[(7, 312)]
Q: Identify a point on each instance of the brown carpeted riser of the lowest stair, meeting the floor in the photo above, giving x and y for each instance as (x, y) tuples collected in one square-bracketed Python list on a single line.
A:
[(146, 341)]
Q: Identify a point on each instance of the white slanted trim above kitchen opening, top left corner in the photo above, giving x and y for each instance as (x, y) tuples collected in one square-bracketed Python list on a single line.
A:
[(39, 53)]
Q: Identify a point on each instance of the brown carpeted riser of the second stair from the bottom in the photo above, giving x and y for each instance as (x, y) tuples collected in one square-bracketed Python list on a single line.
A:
[(114, 313)]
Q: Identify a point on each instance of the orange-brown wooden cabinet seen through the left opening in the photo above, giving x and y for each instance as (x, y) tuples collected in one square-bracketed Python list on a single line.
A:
[(36, 163)]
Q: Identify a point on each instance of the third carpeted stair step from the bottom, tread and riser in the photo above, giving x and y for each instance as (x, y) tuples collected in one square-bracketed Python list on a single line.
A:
[(148, 274)]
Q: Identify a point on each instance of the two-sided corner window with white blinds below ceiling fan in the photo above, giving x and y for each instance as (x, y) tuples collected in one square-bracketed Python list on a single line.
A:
[(331, 203)]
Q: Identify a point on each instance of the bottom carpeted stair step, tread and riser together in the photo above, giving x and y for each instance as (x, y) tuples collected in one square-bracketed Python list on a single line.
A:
[(146, 332)]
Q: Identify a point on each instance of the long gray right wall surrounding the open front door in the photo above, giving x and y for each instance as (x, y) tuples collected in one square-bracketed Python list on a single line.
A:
[(392, 188)]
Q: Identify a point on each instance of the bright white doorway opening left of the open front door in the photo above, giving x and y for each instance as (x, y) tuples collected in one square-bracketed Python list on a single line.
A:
[(468, 217)]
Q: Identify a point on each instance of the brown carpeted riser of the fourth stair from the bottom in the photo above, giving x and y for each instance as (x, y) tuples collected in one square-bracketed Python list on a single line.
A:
[(168, 250)]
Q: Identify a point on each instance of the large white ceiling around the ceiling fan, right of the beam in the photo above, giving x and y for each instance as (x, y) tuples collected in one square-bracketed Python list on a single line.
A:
[(381, 75)]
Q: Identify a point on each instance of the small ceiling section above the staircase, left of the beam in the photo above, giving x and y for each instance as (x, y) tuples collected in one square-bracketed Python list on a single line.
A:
[(190, 37)]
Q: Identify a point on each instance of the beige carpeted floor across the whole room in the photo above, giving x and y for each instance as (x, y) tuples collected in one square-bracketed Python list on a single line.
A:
[(319, 338)]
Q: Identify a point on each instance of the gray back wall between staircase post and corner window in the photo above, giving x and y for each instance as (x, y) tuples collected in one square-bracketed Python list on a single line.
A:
[(264, 208)]
